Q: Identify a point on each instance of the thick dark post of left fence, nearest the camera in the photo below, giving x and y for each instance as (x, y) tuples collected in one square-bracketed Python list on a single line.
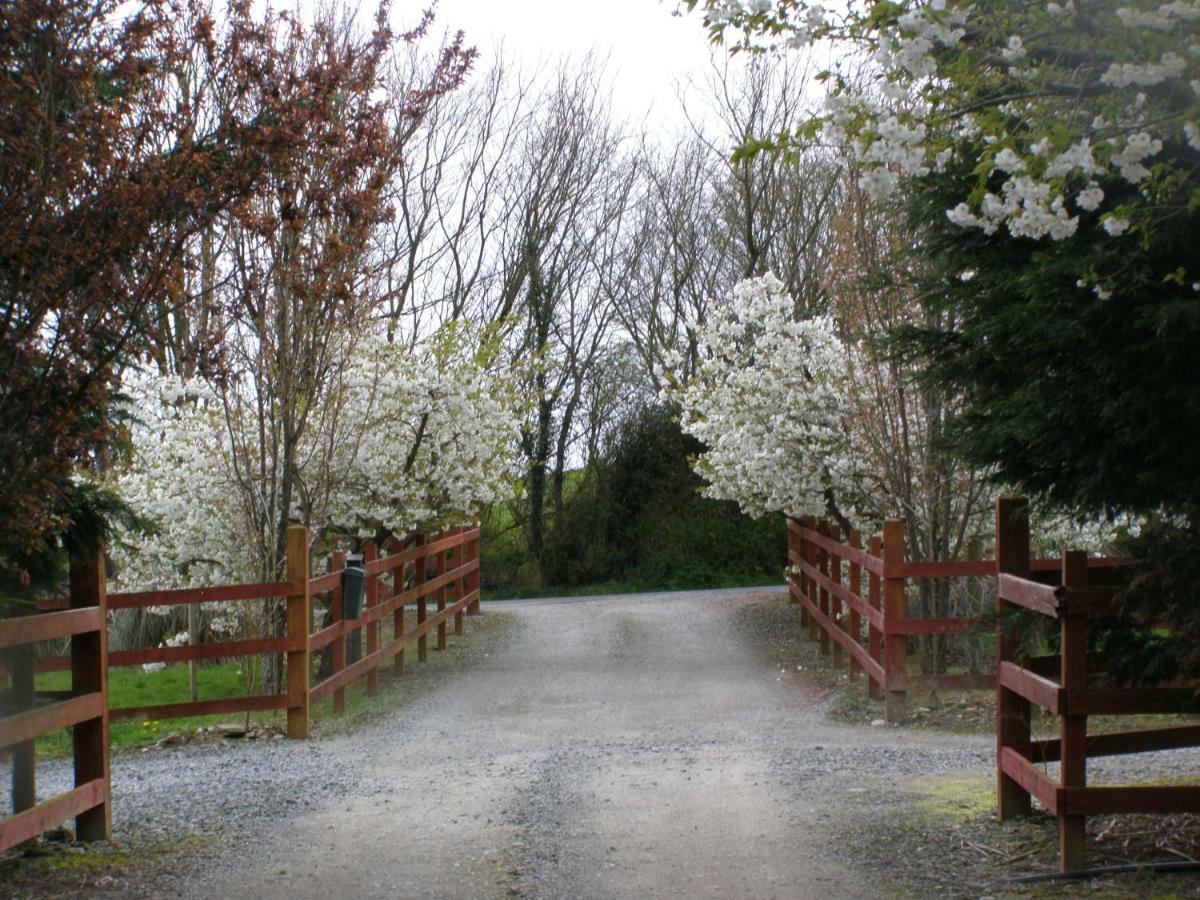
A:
[(89, 675)]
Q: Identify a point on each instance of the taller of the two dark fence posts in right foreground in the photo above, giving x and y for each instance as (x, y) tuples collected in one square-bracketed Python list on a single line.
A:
[(1012, 710)]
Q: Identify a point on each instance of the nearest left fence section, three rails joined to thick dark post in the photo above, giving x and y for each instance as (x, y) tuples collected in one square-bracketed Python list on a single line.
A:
[(85, 707)]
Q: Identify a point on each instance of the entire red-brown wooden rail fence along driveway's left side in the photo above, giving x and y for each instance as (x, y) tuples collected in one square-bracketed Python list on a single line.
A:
[(441, 568)]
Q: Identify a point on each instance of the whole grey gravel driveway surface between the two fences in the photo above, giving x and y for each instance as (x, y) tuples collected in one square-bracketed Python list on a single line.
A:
[(633, 747)]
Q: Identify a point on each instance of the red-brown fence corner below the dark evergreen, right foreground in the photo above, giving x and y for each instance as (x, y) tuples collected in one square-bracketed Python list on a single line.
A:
[(1072, 686)]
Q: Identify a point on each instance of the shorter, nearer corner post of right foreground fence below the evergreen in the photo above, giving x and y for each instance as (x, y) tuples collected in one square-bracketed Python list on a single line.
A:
[(1073, 729)]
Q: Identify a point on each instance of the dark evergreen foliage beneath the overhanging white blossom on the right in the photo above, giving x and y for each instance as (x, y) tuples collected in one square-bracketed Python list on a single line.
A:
[(1085, 401)]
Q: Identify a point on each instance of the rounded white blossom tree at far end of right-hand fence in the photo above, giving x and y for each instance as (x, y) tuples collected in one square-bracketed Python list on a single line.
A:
[(766, 403)]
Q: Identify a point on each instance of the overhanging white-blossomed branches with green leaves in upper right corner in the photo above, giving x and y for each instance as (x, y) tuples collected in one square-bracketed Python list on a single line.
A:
[(1065, 113)]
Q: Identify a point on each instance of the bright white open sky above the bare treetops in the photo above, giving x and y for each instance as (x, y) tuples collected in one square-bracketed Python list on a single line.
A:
[(649, 49)]
